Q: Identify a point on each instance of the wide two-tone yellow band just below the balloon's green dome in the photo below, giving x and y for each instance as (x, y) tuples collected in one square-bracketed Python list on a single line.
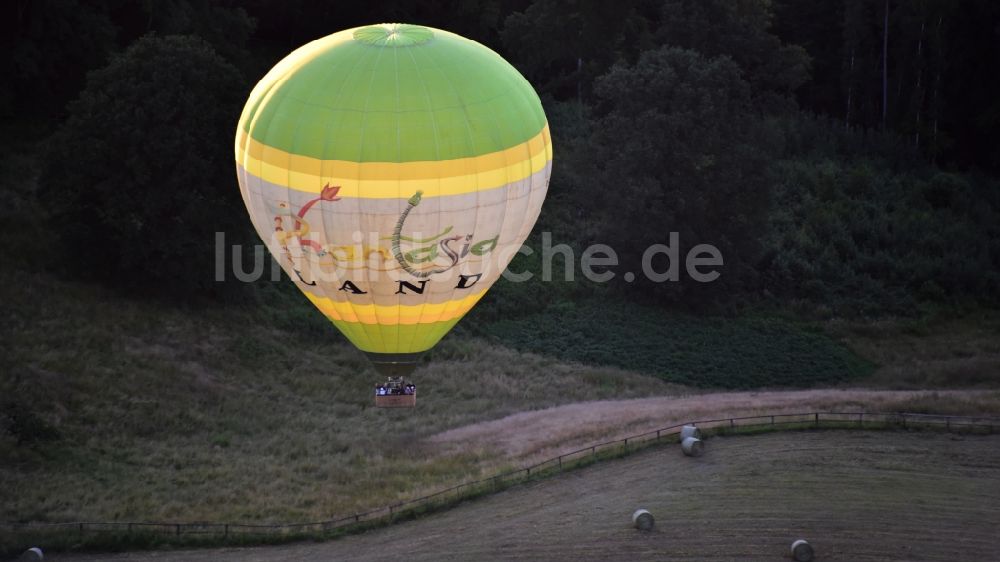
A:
[(390, 180)]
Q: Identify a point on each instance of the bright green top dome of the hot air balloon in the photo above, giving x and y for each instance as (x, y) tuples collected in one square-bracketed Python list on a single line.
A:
[(393, 93)]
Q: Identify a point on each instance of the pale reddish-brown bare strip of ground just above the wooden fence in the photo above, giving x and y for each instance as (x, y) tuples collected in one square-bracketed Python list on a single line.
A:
[(542, 434)]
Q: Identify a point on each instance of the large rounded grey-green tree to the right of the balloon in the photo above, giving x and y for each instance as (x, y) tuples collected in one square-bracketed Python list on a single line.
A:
[(678, 148)]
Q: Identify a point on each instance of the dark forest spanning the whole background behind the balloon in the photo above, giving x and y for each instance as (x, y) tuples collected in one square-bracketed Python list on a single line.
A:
[(839, 154)]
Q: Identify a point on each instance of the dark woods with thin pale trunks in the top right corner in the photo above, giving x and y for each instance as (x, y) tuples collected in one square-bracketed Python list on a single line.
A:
[(927, 75)]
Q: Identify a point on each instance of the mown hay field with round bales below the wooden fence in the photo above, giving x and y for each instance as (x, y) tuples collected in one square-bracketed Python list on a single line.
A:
[(857, 496)]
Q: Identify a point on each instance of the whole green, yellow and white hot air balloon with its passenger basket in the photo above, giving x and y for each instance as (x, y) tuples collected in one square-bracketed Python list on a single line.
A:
[(394, 171)]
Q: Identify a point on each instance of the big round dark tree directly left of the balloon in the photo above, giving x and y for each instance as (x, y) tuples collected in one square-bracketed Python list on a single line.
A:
[(139, 178)]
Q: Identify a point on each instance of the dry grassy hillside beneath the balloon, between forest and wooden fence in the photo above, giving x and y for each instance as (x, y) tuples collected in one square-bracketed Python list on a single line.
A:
[(118, 408)]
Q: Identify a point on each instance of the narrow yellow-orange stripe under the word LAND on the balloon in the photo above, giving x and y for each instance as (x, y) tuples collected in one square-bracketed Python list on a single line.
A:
[(395, 314)]
